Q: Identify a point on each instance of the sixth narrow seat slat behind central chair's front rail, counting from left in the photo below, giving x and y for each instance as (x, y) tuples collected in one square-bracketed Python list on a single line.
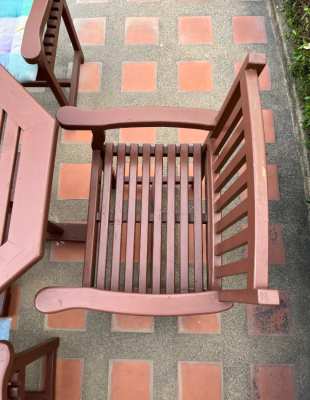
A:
[(171, 219)]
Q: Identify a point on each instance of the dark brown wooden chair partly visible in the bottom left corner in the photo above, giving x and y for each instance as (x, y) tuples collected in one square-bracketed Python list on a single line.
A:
[(13, 371)]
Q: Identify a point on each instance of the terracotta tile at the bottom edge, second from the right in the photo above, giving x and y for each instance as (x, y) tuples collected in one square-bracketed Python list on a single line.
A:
[(200, 381)]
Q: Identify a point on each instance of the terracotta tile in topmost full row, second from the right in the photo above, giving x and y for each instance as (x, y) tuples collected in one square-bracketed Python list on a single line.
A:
[(195, 30)]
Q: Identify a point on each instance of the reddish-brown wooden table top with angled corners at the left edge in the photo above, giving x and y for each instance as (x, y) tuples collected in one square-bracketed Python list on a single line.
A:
[(27, 150)]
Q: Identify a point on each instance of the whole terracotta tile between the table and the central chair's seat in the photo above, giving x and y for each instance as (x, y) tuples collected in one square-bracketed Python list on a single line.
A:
[(74, 180)]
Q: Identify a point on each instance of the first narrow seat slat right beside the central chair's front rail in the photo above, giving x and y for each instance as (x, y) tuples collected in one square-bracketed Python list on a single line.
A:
[(105, 211)]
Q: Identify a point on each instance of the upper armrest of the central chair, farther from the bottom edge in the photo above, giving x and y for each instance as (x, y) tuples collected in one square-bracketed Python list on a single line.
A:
[(111, 118)]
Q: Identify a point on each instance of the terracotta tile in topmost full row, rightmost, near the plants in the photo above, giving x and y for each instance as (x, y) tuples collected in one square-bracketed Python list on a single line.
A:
[(249, 29)]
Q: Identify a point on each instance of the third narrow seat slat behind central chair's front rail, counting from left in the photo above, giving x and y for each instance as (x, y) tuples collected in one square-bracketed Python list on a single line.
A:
[(132, 192)]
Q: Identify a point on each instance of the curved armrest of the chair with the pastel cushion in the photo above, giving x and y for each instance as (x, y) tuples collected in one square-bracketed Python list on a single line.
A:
[(32, 40)]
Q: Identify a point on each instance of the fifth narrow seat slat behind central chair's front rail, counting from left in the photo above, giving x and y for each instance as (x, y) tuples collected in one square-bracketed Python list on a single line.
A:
[(157, 218)]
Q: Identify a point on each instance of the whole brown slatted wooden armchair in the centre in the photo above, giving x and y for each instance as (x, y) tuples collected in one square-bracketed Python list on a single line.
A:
[(232, 224)]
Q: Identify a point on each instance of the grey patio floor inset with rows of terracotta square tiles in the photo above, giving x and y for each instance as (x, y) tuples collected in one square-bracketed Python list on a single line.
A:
[(176, 52)]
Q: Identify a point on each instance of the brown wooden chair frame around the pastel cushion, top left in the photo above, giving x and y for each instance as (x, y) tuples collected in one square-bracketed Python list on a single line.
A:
[(40, 47)]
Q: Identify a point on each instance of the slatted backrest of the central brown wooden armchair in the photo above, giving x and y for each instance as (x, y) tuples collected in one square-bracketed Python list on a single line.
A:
[(237, 188)]
